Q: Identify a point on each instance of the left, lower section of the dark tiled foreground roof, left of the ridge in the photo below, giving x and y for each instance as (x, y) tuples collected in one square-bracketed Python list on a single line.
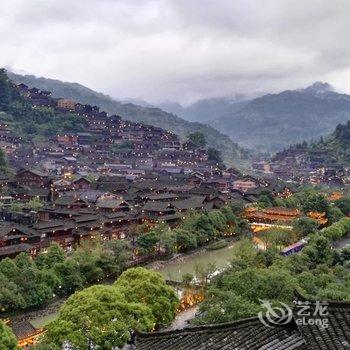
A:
[(248, 334)]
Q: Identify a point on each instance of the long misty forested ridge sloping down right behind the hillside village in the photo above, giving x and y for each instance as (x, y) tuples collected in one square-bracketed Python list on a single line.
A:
[(154, 116)]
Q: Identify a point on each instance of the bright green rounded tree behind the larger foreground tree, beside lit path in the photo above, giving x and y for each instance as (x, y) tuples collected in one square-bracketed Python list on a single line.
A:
[(140, 285)]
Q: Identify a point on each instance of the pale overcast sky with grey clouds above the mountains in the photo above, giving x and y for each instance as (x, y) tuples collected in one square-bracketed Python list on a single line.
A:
[(179, 50)]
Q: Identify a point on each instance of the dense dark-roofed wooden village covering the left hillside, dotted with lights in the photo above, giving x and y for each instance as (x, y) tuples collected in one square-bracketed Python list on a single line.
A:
[(115, 174)]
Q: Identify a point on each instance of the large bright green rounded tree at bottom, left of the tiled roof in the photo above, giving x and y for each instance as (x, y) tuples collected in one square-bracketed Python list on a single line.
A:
[(99, 316)]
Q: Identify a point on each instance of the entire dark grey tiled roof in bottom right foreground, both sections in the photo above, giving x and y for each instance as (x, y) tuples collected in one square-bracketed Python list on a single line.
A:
[(250, 334)]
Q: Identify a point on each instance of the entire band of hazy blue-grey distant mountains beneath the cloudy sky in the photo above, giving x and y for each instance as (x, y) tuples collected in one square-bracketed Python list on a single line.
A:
[(267, 123)]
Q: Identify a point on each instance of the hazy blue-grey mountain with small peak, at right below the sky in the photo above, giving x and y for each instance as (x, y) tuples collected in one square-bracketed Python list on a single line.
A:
[(274, 121)]
